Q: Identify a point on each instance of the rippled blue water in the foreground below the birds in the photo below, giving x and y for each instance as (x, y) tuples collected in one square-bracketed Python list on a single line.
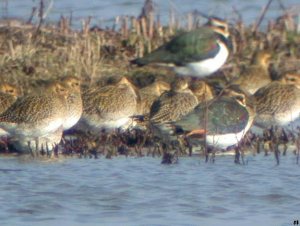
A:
[(141, 191)]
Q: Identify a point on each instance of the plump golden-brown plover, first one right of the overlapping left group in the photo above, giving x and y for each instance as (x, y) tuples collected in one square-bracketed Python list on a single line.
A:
[(110, 106)]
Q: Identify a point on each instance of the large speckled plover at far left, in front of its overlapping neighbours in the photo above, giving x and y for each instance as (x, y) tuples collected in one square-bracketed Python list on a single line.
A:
[(35, 115)]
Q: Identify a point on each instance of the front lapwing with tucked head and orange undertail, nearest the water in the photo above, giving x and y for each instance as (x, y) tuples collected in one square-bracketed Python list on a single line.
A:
[(224, 120)]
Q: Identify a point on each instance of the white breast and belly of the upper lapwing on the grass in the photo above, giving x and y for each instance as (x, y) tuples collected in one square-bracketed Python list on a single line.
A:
[(205, 67)]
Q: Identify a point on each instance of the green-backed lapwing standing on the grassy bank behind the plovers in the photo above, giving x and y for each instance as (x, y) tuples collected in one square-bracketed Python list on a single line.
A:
[(197, 53)]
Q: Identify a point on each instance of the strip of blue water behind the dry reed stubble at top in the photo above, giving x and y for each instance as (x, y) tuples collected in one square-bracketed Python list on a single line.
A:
[(103, 12)]
